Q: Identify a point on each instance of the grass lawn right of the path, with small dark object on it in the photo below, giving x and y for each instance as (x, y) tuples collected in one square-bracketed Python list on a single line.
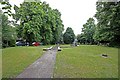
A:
[(86, 61)]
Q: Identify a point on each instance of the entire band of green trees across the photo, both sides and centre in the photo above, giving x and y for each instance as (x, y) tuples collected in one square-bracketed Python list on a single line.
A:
[(40, 23)]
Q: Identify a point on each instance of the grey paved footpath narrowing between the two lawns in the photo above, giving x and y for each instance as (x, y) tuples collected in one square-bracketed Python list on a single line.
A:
[(42, 68)]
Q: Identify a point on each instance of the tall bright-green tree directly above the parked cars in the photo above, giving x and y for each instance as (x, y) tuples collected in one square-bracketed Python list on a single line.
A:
[(30, 21)]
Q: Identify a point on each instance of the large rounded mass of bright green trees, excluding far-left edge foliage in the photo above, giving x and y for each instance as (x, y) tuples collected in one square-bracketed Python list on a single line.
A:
[(38, 22)]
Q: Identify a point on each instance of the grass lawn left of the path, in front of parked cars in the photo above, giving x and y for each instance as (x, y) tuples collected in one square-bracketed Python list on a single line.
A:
[(16, 59)]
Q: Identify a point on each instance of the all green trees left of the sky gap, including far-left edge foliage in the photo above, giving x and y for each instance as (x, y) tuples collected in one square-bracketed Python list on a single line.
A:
[(38, 22)]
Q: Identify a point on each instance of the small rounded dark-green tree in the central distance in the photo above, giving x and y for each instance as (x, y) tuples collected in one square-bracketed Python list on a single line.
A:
[(68, 36)]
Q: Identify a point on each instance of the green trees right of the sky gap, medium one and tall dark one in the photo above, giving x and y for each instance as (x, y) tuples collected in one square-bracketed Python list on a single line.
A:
[(107, 29)]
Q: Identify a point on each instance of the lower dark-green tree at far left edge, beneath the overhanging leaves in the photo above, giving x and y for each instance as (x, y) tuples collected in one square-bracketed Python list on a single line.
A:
[(8, 33)]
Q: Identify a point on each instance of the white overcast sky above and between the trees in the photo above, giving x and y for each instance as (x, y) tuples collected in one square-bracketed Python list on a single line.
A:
[(74, 12)]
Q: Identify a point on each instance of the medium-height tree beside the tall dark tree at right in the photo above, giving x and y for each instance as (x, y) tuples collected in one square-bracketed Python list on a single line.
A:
[(88, 30)]
